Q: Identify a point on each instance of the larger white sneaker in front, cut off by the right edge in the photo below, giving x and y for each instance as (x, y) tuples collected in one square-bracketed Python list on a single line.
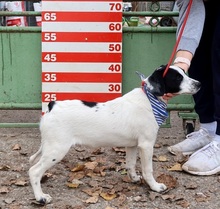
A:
[(205, 161)]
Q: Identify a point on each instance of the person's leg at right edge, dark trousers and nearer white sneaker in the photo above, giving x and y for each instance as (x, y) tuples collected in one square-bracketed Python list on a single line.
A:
[(206, 161)]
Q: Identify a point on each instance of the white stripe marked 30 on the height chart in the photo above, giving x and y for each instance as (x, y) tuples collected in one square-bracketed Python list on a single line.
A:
[(78, 87)]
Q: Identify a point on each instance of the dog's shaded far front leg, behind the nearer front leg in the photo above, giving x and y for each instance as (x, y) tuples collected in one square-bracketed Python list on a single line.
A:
[(131, 158)]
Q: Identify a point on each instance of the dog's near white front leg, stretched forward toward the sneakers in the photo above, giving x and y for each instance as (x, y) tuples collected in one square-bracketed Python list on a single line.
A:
[(146, 154)]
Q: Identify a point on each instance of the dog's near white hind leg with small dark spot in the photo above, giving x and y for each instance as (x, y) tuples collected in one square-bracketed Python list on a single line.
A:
[(52, 153)]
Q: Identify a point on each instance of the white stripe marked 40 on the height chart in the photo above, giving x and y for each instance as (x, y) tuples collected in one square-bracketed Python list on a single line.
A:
[(78, 67)]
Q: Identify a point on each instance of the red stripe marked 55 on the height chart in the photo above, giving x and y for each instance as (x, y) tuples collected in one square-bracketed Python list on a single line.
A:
[(82, 37)]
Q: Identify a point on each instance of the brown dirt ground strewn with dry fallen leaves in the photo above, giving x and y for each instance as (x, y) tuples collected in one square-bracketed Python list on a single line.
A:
[(96, 178)]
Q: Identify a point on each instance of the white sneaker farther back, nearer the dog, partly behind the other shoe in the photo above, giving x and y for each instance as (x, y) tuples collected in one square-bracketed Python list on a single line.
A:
[(193, 142)]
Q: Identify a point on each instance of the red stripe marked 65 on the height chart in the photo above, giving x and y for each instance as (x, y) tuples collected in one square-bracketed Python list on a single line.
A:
[(84, 16)]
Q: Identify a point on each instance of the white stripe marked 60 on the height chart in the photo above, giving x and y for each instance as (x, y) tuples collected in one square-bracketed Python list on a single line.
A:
[(78, 27)]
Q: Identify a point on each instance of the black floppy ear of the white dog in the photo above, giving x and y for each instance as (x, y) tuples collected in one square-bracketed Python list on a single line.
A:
[(157, 82)]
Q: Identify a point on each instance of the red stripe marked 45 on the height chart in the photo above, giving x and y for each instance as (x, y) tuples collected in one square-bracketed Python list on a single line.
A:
[(81, 57)]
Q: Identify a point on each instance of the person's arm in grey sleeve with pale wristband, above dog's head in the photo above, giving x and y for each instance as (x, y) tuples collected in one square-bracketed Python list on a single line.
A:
[(192, 32)]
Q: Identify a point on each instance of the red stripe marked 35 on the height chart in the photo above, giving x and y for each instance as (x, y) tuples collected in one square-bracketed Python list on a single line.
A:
[(82, 77)]
